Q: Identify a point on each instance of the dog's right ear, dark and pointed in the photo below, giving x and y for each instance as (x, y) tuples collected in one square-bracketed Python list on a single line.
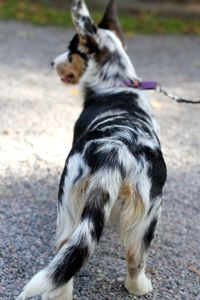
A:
[(111, 22)]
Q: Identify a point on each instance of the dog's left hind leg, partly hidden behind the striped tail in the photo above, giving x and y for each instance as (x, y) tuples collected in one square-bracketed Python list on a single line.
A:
[(70, 202)]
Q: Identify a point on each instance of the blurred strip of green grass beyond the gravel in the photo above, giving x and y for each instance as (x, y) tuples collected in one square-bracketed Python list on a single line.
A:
[(44, 14)]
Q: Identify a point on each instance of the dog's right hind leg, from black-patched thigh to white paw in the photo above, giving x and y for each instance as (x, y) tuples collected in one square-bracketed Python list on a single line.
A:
[(141, 207)]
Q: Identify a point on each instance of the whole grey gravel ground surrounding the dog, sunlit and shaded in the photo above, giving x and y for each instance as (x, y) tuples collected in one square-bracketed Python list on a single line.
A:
[(36, 121)]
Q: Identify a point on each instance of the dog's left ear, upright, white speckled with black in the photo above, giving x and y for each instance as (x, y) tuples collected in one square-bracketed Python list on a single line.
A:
[(82, 20)]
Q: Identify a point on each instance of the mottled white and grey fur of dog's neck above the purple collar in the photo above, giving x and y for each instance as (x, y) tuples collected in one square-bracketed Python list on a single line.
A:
[(109, 70)]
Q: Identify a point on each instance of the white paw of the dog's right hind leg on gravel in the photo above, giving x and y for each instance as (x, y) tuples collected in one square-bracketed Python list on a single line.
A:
[(139, 286)]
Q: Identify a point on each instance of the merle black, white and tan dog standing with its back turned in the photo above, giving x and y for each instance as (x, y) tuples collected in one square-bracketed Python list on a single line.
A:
[(115, 166)]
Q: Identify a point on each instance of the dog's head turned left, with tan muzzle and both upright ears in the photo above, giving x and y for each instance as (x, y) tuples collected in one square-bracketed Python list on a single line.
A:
[(72, 64)]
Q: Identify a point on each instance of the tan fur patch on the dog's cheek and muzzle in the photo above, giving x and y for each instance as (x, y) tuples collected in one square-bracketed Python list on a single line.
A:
[(75, 68)]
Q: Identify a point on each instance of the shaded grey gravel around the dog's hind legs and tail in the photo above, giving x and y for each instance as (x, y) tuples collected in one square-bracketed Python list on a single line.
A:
[(28, 213)]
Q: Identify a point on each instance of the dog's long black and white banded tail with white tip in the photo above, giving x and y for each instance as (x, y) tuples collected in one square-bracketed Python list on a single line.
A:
[(77, 248)]
